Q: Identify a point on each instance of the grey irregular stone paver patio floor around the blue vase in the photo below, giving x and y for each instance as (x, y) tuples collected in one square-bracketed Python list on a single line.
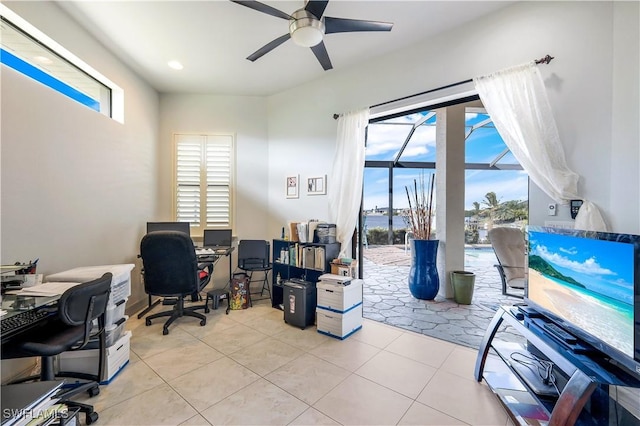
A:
[(386, 298)]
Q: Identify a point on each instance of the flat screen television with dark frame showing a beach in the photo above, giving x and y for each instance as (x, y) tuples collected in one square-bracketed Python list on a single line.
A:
[(589, 283)]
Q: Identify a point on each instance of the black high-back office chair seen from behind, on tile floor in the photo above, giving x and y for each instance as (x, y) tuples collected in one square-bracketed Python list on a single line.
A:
[(171, 270)]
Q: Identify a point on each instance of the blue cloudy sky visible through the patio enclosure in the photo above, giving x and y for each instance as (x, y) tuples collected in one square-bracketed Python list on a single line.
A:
[(482, 146)]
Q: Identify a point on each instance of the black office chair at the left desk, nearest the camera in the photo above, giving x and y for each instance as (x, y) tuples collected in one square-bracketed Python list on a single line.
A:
[(71, 329)]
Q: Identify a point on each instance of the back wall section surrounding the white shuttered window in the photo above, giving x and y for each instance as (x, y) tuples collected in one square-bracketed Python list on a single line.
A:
[(246, 118)]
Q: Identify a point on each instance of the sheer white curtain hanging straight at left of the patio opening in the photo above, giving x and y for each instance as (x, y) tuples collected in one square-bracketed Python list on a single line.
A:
[(345, 181)]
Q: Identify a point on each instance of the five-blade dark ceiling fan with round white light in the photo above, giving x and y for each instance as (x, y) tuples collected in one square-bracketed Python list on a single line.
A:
[(307, 28)]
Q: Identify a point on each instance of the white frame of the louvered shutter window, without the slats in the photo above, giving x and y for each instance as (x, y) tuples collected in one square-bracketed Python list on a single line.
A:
[(213, 138)]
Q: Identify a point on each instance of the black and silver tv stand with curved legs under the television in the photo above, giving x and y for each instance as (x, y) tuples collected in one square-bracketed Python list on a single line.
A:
[(518, 395)]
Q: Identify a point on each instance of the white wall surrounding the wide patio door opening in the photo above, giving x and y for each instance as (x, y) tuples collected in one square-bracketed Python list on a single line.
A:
[(592, 86)]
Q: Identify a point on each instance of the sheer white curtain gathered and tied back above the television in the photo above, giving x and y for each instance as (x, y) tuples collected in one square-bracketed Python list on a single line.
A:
[(517, 102)]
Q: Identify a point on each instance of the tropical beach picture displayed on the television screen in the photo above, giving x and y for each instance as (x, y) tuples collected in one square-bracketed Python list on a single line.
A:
[(587, 282)]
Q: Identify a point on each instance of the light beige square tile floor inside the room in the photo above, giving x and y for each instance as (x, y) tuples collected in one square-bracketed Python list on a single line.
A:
[(250, 368)]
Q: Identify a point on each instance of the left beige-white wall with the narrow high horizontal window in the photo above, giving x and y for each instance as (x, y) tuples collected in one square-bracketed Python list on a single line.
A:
[(77, 187)]
